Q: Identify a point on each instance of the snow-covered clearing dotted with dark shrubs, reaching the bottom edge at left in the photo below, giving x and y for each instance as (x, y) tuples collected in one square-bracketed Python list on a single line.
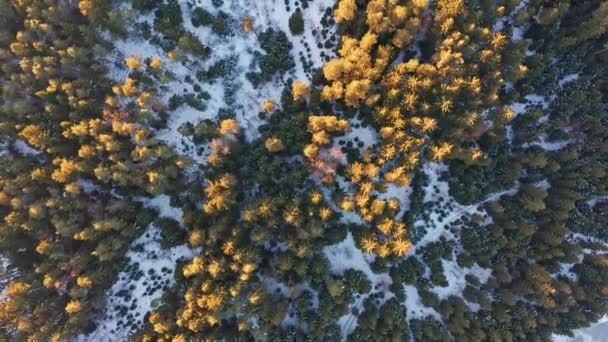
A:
[(150, 270)]
